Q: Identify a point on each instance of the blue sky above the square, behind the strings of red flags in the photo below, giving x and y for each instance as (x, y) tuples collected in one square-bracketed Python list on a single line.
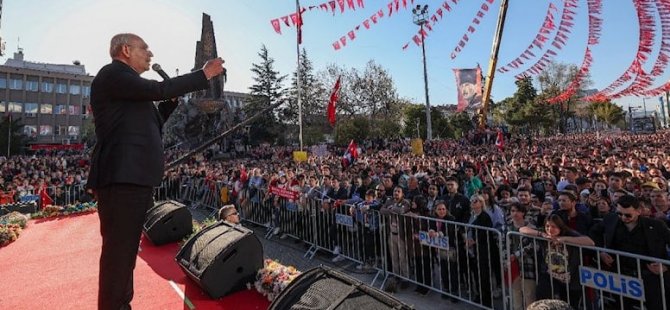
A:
[(66, 30)]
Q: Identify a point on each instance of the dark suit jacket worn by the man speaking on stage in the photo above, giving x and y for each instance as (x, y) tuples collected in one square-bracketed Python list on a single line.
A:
[(128, 125)]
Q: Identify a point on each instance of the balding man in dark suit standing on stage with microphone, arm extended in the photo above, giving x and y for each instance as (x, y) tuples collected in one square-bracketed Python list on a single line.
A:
[(127, 161)]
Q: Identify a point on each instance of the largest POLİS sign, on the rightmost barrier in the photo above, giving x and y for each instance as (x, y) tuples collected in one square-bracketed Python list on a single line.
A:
[(612, 282)]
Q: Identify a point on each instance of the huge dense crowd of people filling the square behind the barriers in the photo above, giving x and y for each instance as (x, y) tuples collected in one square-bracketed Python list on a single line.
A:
[(605, 190)]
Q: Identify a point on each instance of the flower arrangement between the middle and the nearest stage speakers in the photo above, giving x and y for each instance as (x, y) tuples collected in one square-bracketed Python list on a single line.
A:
[(274, 278)]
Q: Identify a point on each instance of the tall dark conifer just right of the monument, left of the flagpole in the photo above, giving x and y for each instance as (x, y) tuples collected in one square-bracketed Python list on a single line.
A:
[(266, 91)]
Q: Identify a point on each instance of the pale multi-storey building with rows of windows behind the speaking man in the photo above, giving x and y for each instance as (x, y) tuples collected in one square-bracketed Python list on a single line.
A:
[(51, 100)]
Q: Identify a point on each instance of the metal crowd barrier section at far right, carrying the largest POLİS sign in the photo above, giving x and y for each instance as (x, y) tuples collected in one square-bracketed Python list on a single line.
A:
[(578, 275)]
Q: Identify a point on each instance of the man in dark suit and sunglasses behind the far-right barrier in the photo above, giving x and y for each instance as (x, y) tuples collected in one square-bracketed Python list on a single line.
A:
[(627, 231)]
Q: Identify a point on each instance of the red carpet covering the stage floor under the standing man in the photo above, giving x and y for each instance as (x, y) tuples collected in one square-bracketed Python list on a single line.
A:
[(54, 265)]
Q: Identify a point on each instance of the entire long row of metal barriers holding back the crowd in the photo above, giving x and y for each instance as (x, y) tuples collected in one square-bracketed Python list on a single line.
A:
[(462, 261)]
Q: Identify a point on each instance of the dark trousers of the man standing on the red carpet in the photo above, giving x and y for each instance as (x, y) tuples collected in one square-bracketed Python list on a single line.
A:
[(122, 209)]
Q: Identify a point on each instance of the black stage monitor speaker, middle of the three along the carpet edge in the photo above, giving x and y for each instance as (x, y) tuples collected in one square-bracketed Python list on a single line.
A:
[(222, 258)]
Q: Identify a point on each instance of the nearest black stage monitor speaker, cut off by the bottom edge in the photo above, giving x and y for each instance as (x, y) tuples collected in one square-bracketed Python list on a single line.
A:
[(325, 288)]
